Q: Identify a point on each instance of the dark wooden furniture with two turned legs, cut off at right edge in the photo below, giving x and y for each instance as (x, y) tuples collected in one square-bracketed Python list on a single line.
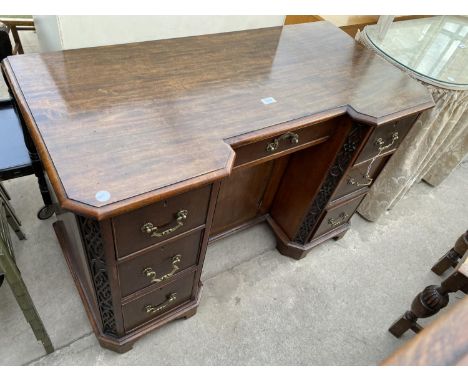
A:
[(436, 297)]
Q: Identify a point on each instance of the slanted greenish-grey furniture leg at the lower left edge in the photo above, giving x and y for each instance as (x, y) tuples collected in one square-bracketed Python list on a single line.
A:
[(11, 273)]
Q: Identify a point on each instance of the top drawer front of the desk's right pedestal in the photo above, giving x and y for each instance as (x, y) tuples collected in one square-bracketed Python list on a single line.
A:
[(386, 138)]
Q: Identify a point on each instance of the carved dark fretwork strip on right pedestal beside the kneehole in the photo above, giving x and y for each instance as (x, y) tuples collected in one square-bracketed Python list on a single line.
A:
[(343, 158)]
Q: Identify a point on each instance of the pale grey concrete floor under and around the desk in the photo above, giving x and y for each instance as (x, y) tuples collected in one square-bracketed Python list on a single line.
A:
[(258, 307)]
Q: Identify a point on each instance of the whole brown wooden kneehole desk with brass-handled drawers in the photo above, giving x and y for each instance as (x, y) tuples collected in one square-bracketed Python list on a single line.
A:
[(155, 149)]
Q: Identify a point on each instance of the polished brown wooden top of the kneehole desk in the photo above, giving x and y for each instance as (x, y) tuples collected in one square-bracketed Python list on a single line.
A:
[(122, 126)]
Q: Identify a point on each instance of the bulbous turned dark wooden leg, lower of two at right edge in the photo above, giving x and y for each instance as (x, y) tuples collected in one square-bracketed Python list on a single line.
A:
[(427, 303)]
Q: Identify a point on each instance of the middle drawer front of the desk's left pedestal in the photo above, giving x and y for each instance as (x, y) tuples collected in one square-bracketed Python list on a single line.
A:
[(159, 265)]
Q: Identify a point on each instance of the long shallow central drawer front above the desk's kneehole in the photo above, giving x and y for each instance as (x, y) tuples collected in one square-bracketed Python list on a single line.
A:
[(285, 143)]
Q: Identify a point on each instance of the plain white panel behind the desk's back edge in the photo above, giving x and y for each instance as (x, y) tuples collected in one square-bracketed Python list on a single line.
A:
[(70, 32)]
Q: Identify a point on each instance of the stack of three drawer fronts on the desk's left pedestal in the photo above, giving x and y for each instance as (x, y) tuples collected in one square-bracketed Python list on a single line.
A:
[(158, 254)]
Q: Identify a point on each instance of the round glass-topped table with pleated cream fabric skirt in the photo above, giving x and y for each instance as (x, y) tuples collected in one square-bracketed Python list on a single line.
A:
[(434, 51)]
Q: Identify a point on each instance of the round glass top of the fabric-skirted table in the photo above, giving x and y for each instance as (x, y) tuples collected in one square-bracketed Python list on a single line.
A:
[(434, 47)]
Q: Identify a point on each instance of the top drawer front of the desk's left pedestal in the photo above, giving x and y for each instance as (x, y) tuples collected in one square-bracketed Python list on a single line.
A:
[(152, 224)]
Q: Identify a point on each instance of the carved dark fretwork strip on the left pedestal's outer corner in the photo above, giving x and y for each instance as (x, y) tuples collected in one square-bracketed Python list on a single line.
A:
[(94, 247)]
